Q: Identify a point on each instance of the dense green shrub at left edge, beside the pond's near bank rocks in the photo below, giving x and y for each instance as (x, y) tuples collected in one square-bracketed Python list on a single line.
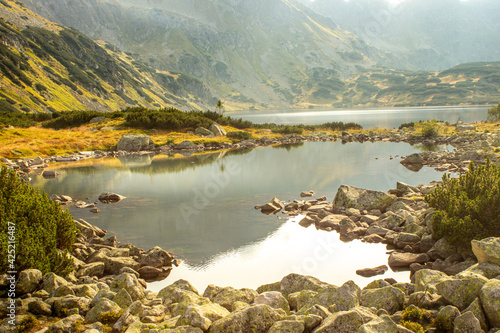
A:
[(38, 226)]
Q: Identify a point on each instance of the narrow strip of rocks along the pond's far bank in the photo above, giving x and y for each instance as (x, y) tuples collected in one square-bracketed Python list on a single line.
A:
[(469, 145)]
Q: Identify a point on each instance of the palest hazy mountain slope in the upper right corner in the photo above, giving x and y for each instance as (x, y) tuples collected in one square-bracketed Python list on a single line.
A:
[(422, 34)]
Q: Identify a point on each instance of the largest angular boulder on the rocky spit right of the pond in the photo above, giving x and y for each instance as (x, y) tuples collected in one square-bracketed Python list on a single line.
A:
[(355, 197)]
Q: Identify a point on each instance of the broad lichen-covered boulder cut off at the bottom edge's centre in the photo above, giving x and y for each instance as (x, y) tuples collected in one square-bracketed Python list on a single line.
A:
[(256, 319)]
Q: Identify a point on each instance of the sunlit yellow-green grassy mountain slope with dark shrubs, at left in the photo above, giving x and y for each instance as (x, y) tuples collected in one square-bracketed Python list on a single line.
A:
[(46, 67)]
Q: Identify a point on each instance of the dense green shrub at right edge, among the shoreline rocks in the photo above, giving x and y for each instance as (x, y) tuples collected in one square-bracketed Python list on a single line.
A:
[(467, 208)]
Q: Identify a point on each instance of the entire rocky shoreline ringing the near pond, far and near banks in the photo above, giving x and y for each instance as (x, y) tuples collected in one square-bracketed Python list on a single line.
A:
[(451, 290)]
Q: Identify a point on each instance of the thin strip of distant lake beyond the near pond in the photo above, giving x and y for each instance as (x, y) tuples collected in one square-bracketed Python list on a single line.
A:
[(370, 118)]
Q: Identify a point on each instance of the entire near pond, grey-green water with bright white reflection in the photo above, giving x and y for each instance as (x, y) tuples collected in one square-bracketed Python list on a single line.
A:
[(201, 208)]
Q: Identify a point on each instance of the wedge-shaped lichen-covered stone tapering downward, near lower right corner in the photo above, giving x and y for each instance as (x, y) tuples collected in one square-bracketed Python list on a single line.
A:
[(460, 291)]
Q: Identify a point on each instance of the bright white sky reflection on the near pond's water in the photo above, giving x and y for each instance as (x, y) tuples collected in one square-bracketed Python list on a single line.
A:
[(289, 249)]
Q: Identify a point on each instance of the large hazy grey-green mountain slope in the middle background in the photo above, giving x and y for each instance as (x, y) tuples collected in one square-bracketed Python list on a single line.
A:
[(254, 53)]
